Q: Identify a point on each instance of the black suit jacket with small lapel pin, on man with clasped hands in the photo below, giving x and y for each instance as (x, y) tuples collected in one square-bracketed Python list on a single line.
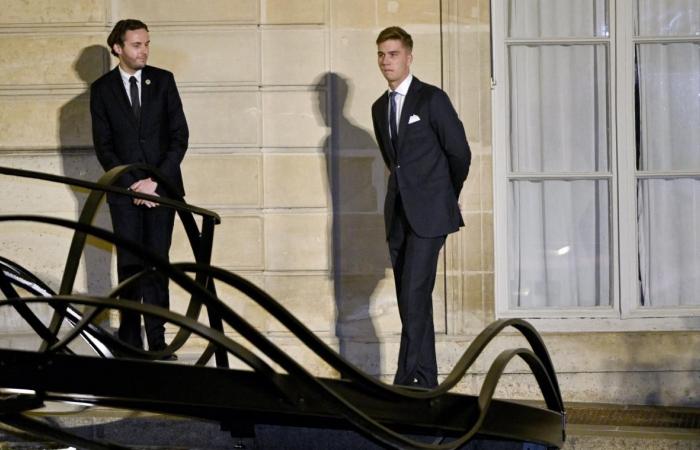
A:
[(159, 139)]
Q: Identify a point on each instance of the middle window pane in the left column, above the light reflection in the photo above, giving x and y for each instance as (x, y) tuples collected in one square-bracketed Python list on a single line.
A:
[(558, 99)]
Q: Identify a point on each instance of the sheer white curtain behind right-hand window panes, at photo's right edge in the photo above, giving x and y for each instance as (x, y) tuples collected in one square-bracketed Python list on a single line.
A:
[(668, 208)]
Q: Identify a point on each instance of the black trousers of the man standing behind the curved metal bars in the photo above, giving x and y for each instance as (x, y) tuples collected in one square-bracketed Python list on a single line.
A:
[(151, 228)]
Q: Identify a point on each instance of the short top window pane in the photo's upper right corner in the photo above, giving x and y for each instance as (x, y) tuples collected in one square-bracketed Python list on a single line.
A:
[(668, 18)]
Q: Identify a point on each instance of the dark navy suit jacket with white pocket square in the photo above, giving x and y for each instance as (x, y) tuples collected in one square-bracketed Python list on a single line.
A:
[(430, 164)]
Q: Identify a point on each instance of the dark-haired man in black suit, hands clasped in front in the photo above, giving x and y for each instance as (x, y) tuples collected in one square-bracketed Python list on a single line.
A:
[(137, 117)]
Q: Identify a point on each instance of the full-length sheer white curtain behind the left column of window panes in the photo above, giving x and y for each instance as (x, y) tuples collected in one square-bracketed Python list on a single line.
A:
[(559, 227)]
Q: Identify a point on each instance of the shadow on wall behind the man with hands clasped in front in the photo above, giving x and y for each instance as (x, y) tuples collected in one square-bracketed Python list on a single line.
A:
[(79, 161)]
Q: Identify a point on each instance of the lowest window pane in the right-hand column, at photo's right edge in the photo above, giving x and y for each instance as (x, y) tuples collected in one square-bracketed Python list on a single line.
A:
[(669, 242)]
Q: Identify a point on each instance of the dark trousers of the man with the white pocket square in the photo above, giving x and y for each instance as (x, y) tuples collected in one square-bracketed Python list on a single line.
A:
[(414, 260)]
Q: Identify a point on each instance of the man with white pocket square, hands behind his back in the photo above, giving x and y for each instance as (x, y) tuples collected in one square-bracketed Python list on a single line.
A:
[(425, 148)]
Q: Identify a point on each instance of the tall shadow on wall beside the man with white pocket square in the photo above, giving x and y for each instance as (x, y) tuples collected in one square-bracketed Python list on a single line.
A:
[(358, 248)]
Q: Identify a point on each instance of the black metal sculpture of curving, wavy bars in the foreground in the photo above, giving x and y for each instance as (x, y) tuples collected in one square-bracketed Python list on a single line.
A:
[(239, 398)]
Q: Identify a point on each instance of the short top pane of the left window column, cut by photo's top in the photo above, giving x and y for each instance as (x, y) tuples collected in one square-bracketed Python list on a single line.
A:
[(557, 18)]
